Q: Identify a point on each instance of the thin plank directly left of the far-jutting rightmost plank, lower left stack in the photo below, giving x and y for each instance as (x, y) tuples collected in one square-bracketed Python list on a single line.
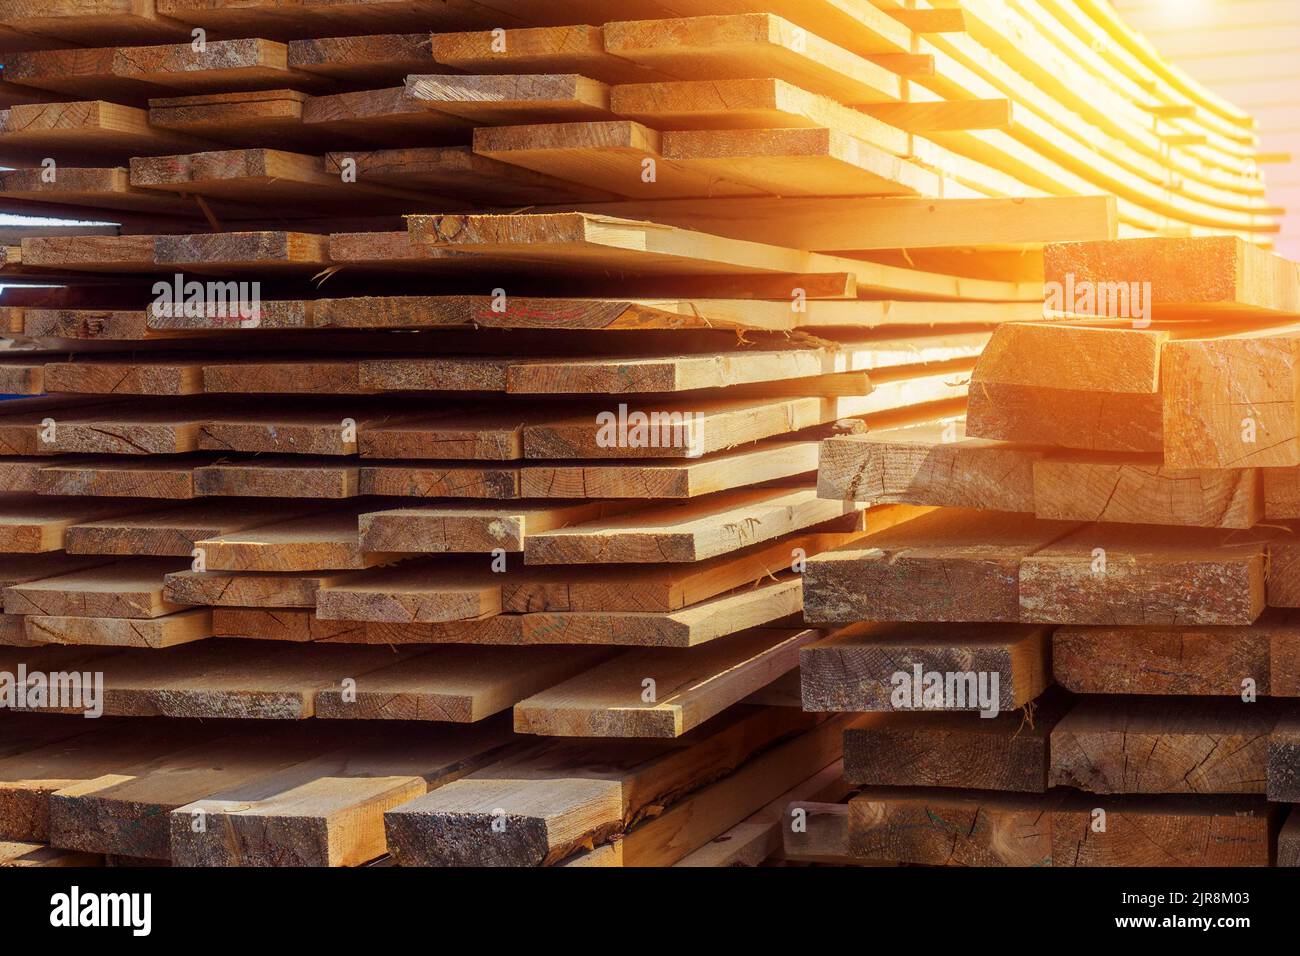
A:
[(460, 685)]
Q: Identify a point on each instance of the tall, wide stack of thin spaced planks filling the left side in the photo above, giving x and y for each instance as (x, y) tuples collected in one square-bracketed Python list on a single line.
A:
[(426, 453)]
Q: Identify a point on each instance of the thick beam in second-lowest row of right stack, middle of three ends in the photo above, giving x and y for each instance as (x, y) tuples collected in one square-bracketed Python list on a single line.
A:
[(1163, 746)]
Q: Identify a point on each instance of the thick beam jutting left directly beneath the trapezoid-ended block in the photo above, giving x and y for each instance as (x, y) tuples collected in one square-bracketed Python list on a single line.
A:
[(933, 464)]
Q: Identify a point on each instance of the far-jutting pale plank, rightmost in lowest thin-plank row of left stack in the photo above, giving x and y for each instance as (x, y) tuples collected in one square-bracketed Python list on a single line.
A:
[(686, 687)]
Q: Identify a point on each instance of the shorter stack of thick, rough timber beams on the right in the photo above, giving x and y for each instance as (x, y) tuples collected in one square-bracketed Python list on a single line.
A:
[(1115, 538)]
